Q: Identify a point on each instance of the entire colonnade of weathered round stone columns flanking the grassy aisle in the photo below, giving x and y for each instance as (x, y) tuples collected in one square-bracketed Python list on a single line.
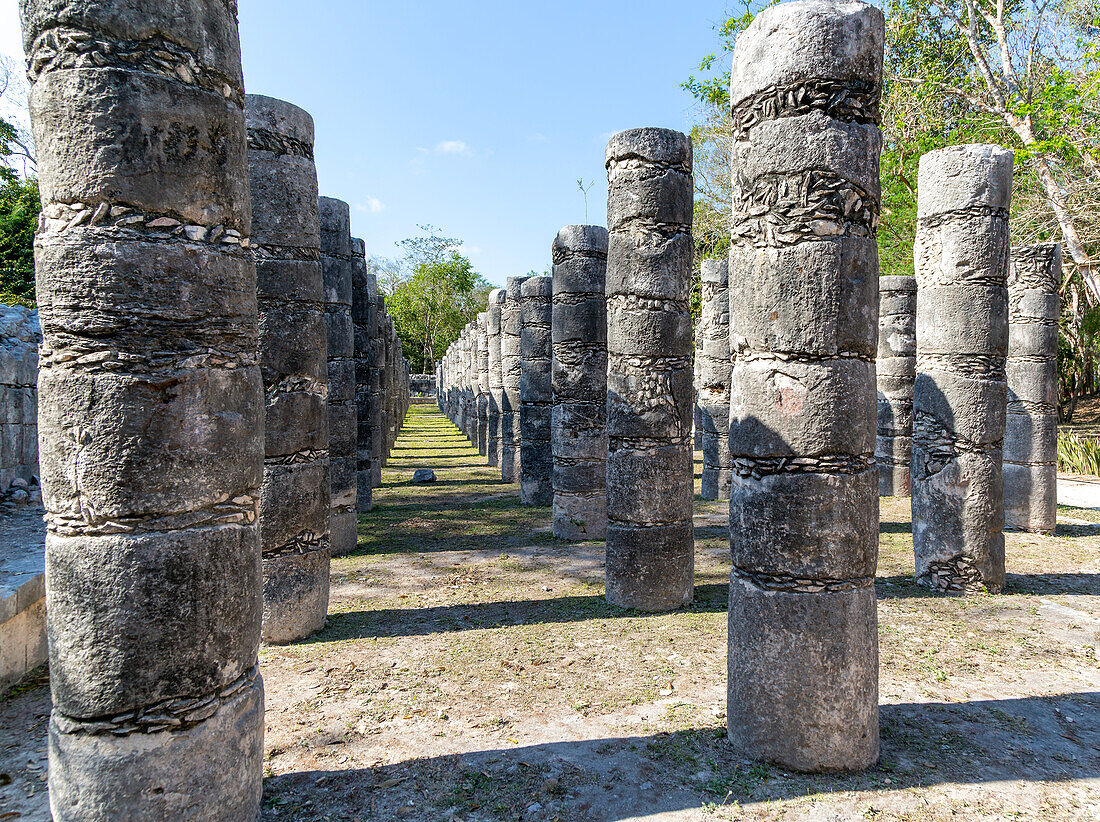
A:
[(221, 387)]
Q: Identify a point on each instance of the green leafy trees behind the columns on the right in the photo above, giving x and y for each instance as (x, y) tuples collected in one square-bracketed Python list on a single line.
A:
[(1025, 74)]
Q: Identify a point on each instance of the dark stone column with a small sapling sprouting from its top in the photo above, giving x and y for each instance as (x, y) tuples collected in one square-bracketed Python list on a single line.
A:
[(579, 382)]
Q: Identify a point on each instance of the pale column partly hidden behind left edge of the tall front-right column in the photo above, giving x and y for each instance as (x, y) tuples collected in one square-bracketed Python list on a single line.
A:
[(714, 368)]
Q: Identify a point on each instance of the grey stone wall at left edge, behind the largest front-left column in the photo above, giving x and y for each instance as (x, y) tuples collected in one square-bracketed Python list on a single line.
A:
[(19, 398)]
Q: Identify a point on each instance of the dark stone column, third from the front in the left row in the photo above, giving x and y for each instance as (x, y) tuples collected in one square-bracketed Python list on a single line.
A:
[(338, 266)]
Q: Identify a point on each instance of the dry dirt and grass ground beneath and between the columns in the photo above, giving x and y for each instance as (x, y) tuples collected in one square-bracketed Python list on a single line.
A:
[(471, 671)]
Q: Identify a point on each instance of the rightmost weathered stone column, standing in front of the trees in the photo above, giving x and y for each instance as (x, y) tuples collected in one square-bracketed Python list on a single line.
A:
[(1031, 435)]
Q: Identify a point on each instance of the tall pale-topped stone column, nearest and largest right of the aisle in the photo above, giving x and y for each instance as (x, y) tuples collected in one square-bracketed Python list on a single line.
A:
[(804, 293)]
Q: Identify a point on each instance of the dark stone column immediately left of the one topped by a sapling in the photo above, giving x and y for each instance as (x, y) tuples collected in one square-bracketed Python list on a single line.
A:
[(536, 481)]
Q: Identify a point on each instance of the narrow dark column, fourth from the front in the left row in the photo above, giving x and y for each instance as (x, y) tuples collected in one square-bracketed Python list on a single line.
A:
[(362, 312)]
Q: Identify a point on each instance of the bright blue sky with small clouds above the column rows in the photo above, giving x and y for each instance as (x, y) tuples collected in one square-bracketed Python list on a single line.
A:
[(475, 117)]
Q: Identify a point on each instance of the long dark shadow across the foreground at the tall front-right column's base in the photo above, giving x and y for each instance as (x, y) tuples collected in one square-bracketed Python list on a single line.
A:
[(1041, 739)]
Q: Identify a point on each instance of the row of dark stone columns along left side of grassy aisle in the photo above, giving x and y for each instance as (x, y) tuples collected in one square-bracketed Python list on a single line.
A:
[(217, 374)]
